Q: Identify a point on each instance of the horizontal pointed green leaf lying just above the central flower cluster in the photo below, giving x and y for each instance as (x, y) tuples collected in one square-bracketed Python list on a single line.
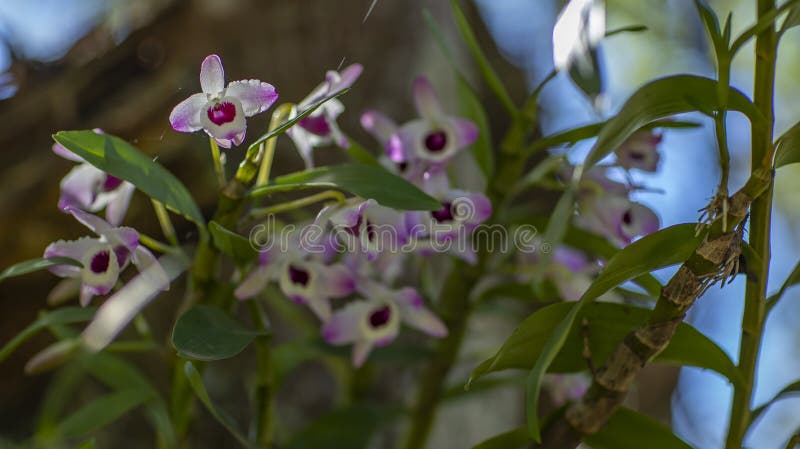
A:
[(363, 180)]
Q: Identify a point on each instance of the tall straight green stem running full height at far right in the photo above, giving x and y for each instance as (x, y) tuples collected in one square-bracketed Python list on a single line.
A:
[(760, 213)]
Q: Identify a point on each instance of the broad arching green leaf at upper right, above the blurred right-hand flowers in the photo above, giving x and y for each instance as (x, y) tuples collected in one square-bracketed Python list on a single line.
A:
[(660, 99)]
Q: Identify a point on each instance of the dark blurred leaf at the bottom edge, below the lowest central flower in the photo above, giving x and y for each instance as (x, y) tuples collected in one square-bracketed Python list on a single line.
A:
[(347, 428)]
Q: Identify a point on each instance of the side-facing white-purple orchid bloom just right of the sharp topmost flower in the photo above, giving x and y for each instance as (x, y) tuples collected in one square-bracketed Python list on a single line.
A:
[(320, 128)]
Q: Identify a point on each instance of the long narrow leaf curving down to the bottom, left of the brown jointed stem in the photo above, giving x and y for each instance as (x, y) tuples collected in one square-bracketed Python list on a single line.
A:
[(661, 249)]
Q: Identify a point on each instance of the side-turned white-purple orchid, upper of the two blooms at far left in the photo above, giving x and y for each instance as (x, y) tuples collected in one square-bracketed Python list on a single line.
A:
[(92, 190)]
